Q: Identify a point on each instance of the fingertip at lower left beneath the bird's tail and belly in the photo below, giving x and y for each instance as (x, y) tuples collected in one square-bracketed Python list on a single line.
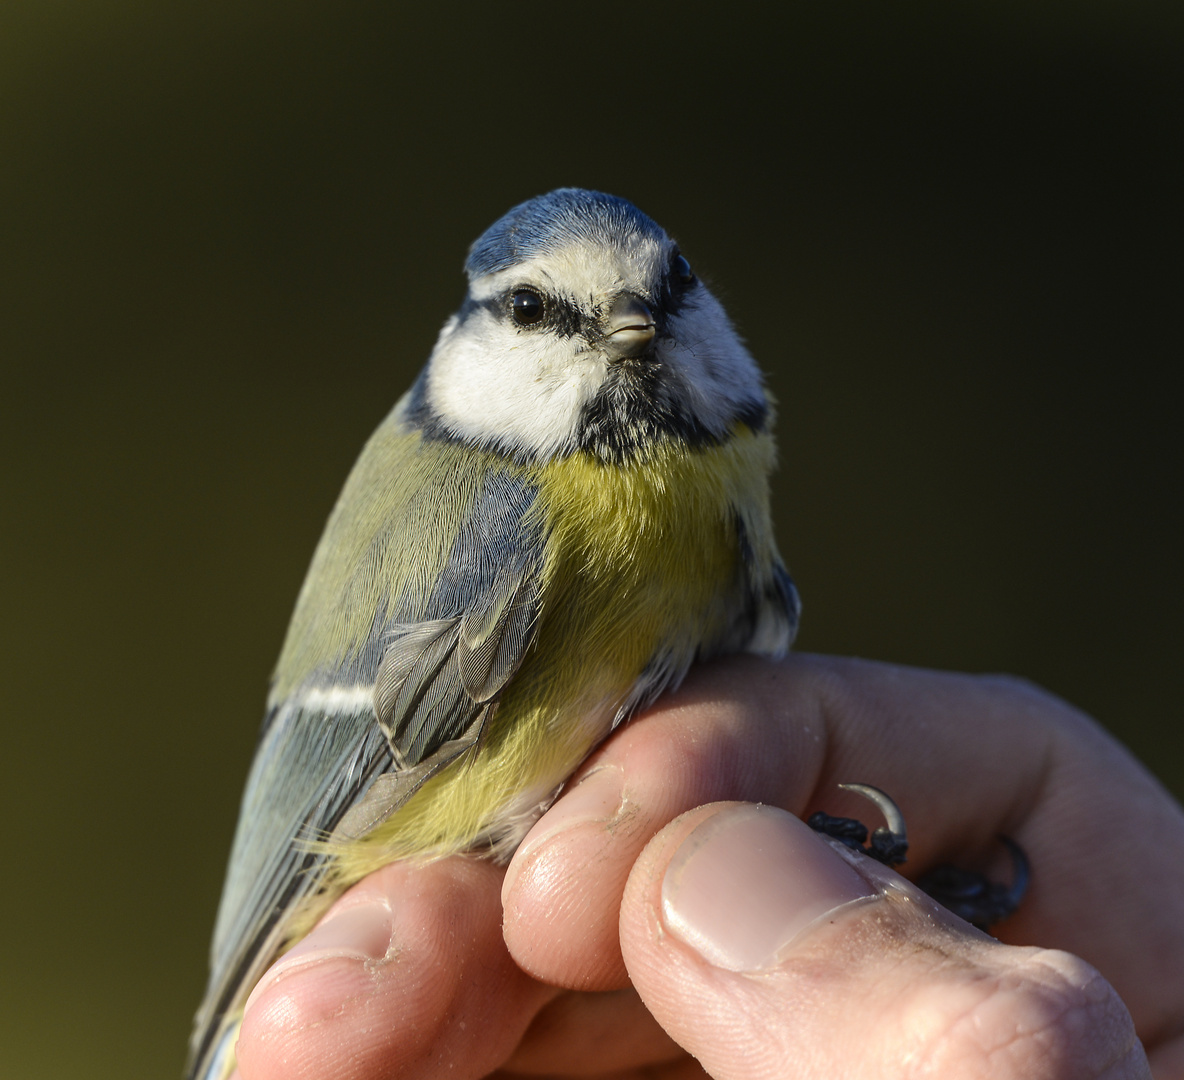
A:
[(407, 975)]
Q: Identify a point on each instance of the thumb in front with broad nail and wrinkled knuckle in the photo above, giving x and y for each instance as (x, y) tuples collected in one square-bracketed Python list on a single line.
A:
[(765, 950)]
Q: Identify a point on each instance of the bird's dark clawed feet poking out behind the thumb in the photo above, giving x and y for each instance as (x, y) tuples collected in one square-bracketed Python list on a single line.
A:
[(967, 893)]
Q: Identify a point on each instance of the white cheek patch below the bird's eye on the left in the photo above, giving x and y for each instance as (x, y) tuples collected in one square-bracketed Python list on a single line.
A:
[(522, 390)]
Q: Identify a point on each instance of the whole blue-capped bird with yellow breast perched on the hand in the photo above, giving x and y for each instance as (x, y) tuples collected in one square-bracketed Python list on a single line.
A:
[(567, 511)]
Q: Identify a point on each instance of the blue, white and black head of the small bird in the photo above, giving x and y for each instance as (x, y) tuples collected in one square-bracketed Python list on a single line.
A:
[(585, 329)]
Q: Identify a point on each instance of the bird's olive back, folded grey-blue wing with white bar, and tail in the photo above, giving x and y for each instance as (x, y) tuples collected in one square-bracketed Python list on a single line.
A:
[(377, 712)]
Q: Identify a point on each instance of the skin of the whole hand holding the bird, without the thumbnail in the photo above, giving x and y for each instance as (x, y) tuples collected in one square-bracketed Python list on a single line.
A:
[(568, 965)]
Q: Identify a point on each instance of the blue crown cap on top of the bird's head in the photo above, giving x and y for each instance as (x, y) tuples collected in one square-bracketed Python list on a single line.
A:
[(555, 221)]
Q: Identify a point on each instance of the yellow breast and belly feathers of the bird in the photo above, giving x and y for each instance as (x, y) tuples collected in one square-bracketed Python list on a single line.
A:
[(642, 575)]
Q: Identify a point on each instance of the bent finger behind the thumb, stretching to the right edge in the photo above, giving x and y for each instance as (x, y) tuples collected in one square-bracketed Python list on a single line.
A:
[(966, 757)]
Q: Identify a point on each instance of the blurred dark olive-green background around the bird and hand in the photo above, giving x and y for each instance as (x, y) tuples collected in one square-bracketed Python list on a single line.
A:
[(230, 232)]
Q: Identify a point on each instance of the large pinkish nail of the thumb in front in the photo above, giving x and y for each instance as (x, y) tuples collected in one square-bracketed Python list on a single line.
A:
[(750, 882)]
